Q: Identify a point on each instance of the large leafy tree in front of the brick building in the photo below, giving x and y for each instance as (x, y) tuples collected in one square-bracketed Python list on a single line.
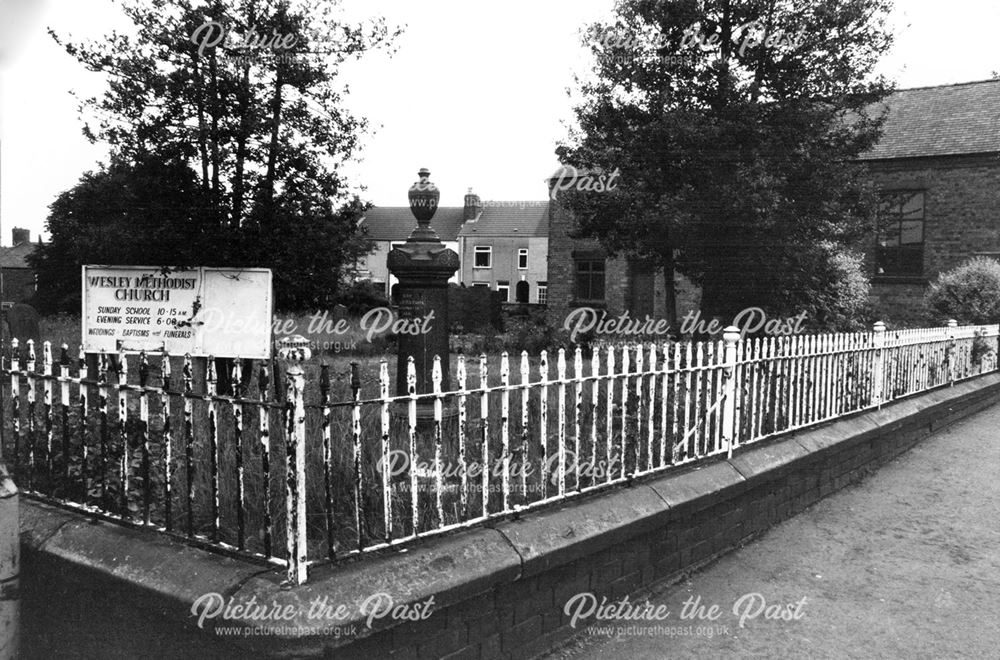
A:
[(732, 126)]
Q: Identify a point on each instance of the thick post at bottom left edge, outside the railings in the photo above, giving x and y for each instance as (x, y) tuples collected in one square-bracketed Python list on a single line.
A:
[(9, 584)]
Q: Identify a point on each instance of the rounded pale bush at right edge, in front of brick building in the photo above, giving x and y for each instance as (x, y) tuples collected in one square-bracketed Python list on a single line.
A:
[(969, 293)]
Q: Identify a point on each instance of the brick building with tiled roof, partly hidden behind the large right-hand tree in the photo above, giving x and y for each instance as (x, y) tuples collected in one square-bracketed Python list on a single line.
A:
[(938, 168)]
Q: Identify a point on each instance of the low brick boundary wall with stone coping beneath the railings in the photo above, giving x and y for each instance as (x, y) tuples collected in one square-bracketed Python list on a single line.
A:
[(500, 591)]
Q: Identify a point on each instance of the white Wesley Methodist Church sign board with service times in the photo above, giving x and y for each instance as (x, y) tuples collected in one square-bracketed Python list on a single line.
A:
[(225, 312)]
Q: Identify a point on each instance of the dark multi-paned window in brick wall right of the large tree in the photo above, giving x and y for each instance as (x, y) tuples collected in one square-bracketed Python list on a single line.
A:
[(900, 249)]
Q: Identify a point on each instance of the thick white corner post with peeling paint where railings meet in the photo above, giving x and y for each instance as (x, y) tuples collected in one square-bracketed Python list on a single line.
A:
[(295, 476)]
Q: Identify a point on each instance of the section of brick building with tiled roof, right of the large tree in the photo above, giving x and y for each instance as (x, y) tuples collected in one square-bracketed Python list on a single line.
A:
[(938, 169)]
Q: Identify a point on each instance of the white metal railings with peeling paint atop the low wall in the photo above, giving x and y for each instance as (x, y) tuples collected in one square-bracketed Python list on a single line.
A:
[(357, 474)]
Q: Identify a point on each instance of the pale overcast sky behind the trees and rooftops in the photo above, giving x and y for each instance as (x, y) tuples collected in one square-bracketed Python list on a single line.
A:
[(475, 91)]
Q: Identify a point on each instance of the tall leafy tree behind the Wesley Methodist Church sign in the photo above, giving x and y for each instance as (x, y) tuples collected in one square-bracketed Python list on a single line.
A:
[(245, 95)]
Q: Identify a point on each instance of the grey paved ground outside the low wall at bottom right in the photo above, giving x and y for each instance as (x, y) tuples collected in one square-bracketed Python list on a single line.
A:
[(904, 565)]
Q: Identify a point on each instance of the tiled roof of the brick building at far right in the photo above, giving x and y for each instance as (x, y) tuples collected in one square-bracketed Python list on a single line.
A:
[(940, 121)]
